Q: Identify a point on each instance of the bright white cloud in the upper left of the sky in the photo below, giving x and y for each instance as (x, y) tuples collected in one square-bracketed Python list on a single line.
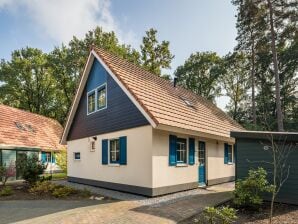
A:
[(63, 19)]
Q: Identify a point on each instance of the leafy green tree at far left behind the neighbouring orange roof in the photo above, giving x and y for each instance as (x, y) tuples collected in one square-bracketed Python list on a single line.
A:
[(28, 82)]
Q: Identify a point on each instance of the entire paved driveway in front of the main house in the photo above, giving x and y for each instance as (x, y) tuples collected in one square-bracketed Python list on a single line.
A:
[(136, 209)]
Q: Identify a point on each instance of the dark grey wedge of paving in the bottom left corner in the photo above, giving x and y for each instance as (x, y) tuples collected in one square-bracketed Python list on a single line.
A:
[(20, 210)]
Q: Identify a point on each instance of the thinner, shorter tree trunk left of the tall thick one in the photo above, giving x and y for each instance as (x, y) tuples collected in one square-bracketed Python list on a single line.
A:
[(253, 100)]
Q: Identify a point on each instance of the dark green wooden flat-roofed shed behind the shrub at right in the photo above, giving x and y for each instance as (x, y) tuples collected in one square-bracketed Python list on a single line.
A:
[(253, 149)]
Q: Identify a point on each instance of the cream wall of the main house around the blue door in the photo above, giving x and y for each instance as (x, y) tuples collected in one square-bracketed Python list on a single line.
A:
[(165, 175)]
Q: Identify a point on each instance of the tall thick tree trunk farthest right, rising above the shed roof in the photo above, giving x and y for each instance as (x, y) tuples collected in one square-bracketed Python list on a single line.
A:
[(276, 74)]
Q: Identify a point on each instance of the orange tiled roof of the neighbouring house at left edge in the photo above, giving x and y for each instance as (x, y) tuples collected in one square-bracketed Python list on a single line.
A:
[(20, 128)]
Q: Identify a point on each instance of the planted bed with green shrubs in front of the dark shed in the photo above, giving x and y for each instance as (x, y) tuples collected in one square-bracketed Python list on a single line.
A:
[(248, 205)]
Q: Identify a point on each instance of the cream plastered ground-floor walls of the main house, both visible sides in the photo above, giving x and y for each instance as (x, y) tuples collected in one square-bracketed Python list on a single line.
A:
[(147, 160)]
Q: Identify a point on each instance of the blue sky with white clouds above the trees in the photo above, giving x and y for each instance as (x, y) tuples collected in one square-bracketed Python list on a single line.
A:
[(189, 25)]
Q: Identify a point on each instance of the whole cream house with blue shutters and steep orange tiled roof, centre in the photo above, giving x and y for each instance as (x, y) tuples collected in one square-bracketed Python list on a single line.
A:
[(132, 131)]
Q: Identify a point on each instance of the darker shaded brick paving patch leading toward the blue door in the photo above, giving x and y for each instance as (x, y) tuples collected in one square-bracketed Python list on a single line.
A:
[(184, 208)]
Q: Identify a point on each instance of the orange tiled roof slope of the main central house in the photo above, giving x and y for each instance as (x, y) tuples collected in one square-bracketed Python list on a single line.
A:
[(164, 103)]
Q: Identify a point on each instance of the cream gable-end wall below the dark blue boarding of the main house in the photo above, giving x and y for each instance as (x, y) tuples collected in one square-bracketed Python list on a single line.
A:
[(137, 172)]
